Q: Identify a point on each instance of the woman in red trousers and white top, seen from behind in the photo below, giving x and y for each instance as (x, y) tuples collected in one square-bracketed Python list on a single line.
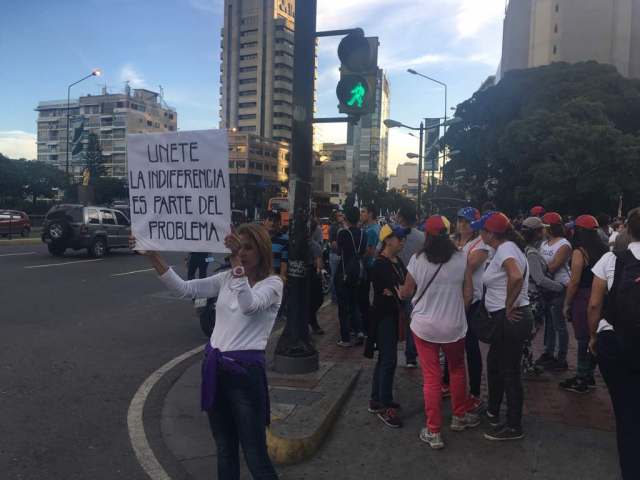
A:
[(436, 279)]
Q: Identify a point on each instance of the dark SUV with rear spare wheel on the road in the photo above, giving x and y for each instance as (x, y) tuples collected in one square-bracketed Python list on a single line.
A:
[(98, 229)]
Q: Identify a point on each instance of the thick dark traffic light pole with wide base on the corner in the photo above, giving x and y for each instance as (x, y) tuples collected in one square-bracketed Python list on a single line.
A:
[(295, 353)]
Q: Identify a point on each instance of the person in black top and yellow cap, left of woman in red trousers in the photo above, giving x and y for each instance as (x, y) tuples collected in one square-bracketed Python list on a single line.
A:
[(388, 273)]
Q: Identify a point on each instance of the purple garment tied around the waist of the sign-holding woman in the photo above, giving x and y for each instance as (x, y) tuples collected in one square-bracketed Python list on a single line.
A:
[(233, 362)]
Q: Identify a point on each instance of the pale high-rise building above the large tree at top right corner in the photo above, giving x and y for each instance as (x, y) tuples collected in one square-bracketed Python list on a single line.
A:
[(540, 32)]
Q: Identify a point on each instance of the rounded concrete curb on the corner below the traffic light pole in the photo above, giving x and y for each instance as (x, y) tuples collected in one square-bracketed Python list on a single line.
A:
[(299, 435)]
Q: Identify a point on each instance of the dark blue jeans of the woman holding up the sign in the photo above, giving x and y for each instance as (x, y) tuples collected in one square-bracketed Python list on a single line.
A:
[(239, 418)]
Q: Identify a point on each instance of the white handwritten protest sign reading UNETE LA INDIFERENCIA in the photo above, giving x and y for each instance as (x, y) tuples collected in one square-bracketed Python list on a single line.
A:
[(179, 190)]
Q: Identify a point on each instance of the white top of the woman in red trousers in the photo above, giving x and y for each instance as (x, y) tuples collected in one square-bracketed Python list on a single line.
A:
[(439, 316)]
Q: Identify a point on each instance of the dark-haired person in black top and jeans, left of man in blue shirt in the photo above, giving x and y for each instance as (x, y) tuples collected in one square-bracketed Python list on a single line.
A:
[(352, 245)]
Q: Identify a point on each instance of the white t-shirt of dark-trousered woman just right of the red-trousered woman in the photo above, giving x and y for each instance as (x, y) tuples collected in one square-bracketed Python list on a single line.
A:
[(495, 278)]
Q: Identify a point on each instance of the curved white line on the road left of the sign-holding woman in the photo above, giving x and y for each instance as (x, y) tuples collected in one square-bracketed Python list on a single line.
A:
[(137, 435)]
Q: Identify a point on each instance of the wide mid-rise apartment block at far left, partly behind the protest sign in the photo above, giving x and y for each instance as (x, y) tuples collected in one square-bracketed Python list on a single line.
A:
[(111, 116)]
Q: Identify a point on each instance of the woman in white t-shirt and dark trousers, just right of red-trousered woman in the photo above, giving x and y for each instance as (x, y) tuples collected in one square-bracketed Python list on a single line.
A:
[(506, 300)]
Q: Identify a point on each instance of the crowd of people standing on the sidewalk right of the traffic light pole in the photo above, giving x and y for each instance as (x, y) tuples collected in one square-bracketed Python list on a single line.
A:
[(497, 281)]
